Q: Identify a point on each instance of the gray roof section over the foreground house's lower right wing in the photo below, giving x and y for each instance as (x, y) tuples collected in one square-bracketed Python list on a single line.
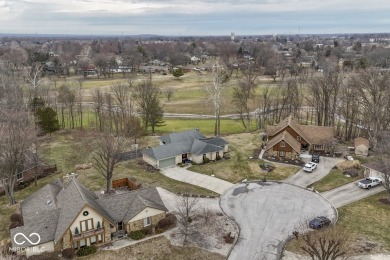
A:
[(125, 206)]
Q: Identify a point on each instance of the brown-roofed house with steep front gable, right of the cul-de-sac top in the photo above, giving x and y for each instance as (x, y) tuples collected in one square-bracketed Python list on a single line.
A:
[(288, 138)]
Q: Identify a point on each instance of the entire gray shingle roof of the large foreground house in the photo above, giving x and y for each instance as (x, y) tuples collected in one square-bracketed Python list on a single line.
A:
[(51, 220)]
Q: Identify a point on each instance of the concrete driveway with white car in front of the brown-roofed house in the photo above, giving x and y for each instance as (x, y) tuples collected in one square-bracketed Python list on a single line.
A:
[(304, 179)]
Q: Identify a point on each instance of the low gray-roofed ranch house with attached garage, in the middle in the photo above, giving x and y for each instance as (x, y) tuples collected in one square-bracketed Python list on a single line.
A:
[(182, 146)]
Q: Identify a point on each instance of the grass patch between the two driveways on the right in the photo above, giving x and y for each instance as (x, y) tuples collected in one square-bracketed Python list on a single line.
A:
[(334, 179)]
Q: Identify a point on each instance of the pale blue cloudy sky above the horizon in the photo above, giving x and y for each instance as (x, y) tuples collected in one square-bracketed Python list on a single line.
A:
[(193, 17)]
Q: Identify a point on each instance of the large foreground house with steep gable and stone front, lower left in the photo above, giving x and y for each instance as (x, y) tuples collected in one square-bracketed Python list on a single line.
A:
[(65, 214)]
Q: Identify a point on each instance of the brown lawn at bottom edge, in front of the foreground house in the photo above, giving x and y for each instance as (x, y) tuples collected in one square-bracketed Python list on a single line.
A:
[(155, 248)]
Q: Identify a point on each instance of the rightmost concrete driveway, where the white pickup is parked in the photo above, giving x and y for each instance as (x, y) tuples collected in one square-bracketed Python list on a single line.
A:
[(349, 193)]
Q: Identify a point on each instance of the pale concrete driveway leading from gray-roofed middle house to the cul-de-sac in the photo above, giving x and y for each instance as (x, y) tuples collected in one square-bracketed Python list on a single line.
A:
[(211, 183)]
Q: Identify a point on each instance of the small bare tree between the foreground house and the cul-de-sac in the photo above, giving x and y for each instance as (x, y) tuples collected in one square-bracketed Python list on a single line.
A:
[(186, 206)]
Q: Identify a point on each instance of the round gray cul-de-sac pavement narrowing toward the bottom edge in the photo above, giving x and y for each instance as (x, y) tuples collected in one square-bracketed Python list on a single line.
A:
[(267, 214)]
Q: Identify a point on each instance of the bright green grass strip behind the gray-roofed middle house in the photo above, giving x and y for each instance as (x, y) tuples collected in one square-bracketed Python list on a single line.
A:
[(206, 126)]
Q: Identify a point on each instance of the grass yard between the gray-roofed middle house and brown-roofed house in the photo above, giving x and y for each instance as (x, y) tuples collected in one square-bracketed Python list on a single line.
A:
[(240, 167)]
